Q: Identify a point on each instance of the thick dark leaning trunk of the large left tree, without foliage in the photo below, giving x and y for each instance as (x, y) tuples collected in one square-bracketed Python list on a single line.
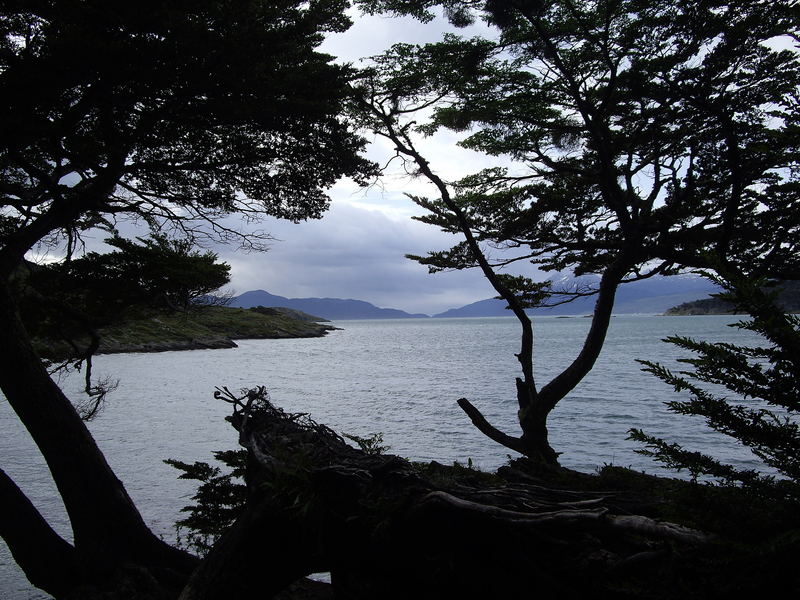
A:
[(108, 529)]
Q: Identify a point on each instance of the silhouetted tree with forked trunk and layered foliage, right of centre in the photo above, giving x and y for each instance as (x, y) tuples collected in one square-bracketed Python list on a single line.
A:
[(630, 138)]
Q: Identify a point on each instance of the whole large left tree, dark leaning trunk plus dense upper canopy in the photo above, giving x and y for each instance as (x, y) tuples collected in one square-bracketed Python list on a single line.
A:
[(177, 114)]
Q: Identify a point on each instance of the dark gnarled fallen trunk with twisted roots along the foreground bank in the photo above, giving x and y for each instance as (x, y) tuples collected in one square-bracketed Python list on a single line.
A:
[(388, 528)]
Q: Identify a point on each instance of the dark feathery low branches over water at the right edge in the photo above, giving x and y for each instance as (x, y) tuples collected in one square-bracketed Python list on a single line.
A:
[(766, 381)]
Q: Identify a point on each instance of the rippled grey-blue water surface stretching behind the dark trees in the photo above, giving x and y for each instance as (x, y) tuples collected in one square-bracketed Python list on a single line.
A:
[(398, 377)]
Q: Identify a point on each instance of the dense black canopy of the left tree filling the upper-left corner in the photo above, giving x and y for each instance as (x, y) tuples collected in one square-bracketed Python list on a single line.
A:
[(181, 112)]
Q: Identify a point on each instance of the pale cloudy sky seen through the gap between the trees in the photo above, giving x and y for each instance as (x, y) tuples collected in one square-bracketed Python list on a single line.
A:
[(357, 250)]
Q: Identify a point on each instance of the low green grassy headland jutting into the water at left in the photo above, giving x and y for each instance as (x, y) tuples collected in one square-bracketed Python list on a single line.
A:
[(208, 327)]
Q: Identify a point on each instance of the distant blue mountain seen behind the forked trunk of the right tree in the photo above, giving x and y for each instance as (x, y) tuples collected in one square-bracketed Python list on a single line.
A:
[(649, 296)]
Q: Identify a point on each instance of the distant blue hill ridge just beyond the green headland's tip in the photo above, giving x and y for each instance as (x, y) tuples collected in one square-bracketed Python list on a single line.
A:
[(328, 308)]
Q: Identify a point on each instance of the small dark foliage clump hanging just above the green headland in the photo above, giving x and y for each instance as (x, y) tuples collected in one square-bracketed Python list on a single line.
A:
[(71, 300)]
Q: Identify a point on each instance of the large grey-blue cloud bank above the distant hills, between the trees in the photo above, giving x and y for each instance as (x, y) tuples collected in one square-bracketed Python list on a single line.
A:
[(354, 252)]
